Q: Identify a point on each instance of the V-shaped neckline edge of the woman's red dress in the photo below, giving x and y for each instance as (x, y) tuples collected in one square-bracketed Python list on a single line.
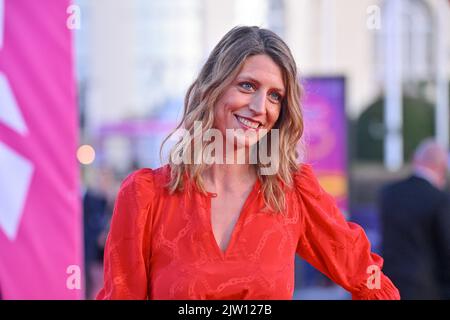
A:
[(223, 254)]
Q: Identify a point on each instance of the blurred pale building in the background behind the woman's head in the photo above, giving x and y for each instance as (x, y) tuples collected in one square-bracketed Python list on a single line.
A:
[(141, 55)]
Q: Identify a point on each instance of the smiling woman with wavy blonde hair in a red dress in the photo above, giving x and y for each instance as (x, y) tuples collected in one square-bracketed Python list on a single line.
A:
[(227, 230)]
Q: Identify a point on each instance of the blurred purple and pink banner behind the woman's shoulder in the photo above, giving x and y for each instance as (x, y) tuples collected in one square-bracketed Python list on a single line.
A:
[(326, 134)]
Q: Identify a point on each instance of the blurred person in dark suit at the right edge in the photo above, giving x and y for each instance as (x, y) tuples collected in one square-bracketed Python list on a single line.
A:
[(415, 216)]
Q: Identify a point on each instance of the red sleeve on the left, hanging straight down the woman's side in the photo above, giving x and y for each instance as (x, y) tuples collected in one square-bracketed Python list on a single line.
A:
[(127, 250)]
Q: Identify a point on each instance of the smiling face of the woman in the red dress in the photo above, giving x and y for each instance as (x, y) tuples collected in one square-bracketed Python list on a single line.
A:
[(252, 101)]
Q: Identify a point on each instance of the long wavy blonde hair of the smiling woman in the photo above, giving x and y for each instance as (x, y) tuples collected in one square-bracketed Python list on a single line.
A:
[(220, 69)]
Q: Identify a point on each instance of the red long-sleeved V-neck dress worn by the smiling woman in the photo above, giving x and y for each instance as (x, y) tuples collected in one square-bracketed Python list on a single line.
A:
[(161, 246)]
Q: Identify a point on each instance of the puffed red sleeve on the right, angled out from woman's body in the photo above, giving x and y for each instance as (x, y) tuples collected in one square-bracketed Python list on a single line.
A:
[(338, 248)]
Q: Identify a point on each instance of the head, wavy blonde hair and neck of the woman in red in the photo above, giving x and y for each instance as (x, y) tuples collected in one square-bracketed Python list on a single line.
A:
[(250, 75)]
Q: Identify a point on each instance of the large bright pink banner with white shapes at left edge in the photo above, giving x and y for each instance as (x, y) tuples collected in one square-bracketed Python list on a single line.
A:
[(40, 214)]
